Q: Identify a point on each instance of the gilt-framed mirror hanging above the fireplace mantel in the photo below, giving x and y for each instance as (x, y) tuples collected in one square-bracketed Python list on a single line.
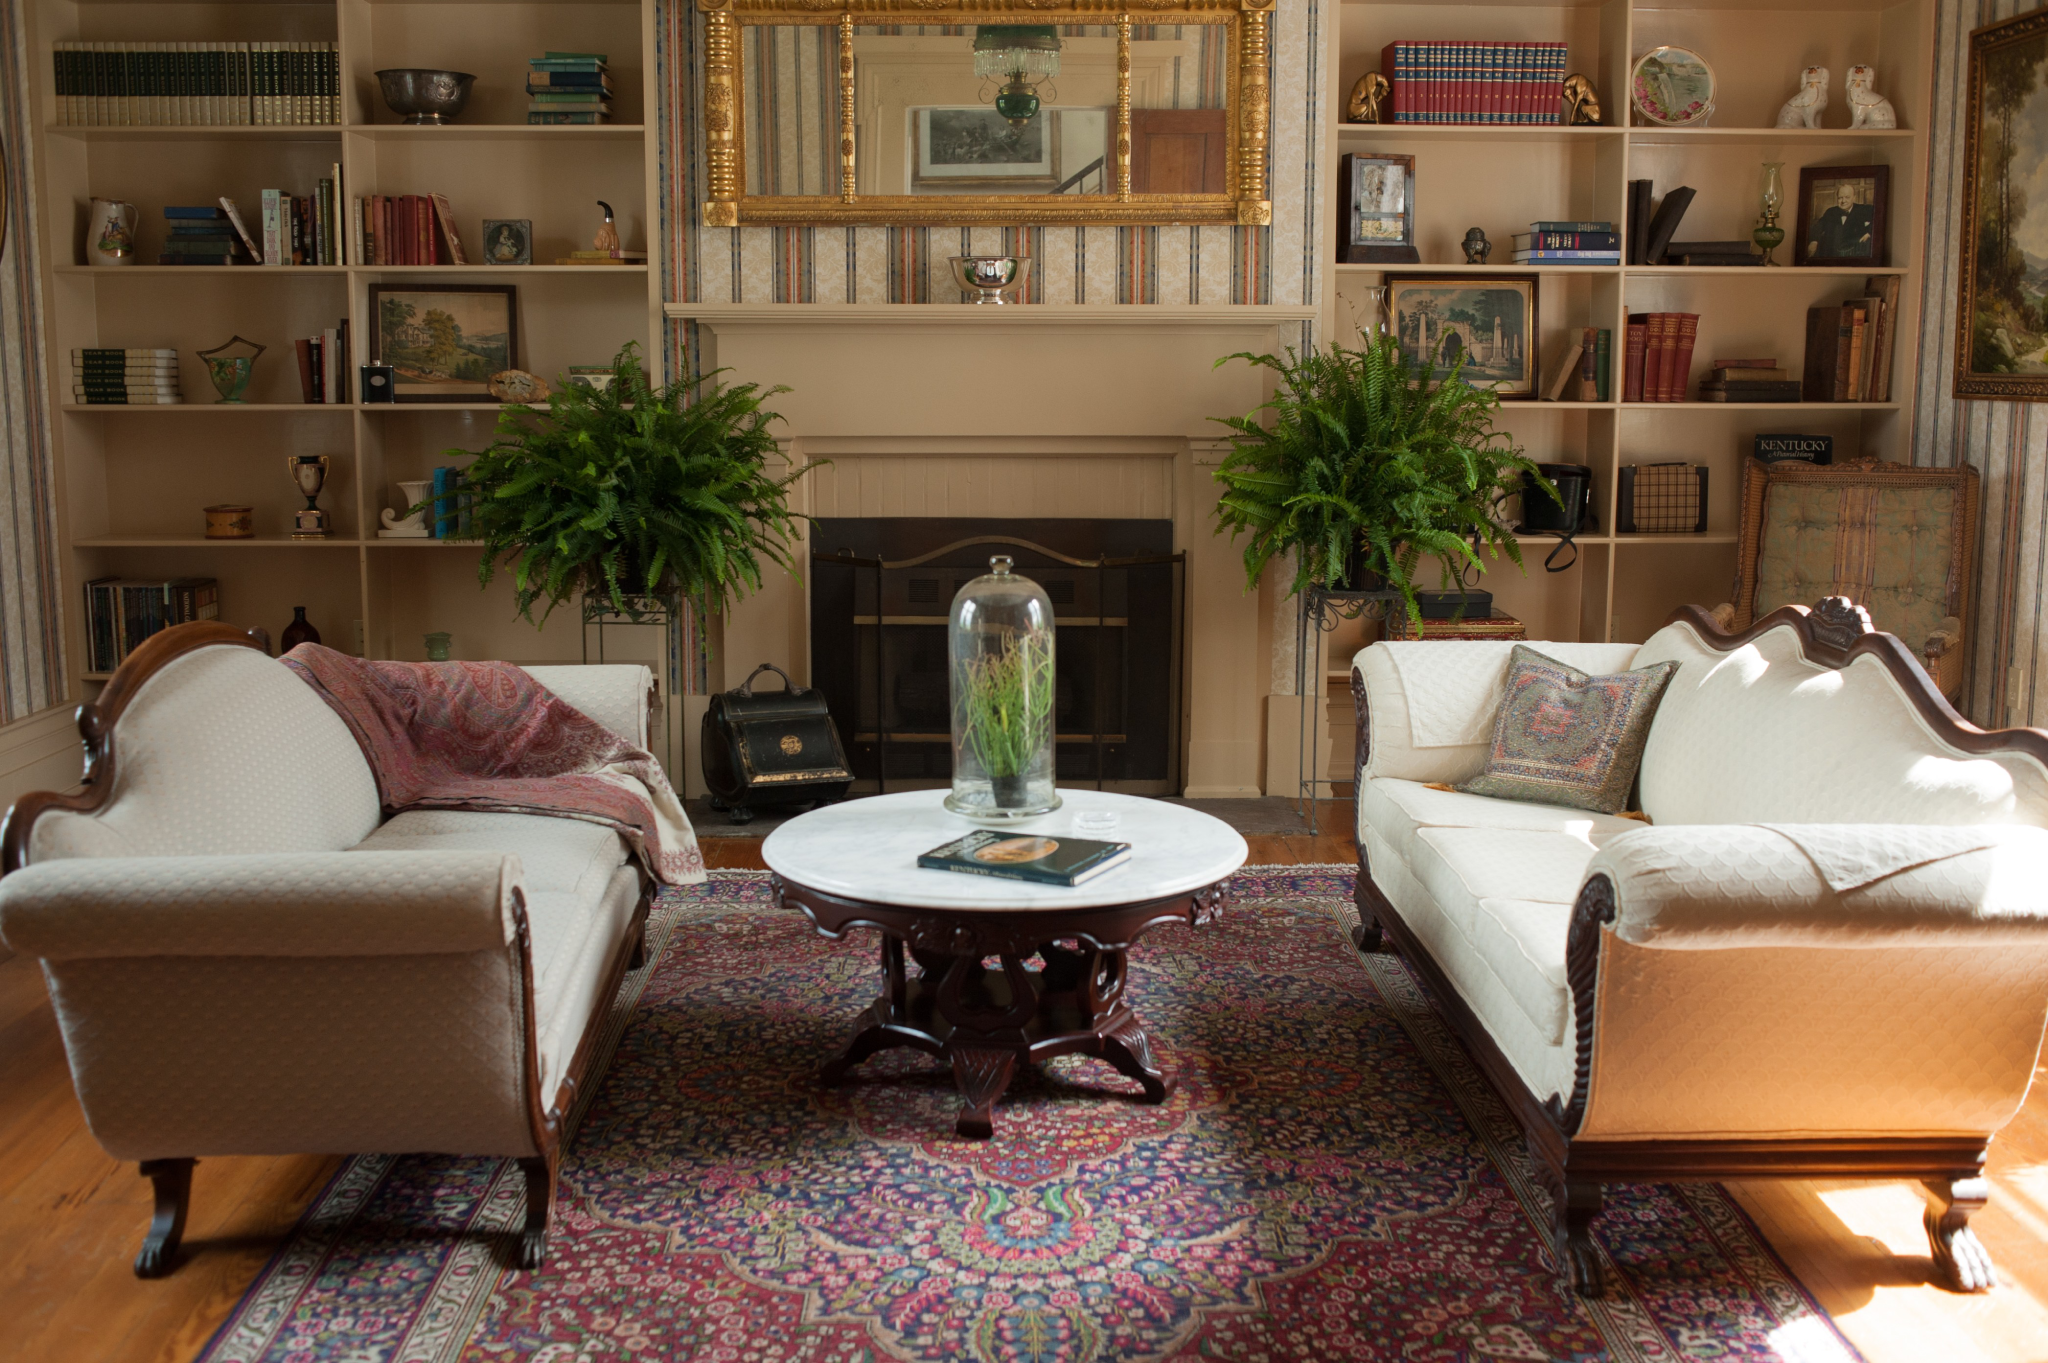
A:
[(959, 112)]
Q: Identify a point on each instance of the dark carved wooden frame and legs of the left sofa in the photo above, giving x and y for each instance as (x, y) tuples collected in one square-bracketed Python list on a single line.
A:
[(173, 1178)]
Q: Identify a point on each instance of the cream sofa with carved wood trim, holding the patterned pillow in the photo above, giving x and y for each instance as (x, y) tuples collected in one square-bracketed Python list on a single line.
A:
[(1695, 998)]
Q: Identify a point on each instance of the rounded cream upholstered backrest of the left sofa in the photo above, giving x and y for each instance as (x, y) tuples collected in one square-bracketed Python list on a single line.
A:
[(224, 752)]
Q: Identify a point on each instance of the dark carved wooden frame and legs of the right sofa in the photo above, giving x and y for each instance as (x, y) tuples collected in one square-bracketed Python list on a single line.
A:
[(1576, 1172)]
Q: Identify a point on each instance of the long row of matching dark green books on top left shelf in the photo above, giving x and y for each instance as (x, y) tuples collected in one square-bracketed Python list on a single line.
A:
[(198, 85)]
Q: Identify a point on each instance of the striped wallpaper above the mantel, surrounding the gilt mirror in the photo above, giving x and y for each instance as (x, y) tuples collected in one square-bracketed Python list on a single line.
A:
[(908, 265)]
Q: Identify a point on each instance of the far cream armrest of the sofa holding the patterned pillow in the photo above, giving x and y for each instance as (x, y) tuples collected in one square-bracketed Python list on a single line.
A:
[(1435, 701)]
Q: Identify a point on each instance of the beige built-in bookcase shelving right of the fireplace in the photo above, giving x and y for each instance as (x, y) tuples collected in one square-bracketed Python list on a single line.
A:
[(1500, 179)]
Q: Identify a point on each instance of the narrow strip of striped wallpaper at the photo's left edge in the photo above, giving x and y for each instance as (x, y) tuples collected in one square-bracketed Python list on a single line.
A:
[(32, 617)]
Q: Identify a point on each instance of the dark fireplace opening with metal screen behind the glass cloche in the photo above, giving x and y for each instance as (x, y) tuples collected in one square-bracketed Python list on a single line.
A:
[(882, 590)]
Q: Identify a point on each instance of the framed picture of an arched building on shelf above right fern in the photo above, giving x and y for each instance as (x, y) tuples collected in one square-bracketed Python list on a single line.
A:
[(1488, 320)]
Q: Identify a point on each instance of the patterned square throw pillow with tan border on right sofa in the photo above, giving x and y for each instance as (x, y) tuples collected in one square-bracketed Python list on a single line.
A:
[(1564, 738)]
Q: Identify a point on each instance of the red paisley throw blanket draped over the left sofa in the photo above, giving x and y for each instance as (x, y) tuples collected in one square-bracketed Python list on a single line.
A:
[(488, 738)]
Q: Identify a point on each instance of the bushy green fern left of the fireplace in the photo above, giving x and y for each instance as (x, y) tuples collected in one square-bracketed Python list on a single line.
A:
[(634, 492)]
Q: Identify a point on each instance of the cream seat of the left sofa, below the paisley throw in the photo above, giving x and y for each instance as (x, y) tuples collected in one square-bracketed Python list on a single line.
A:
[(570, 867)]
